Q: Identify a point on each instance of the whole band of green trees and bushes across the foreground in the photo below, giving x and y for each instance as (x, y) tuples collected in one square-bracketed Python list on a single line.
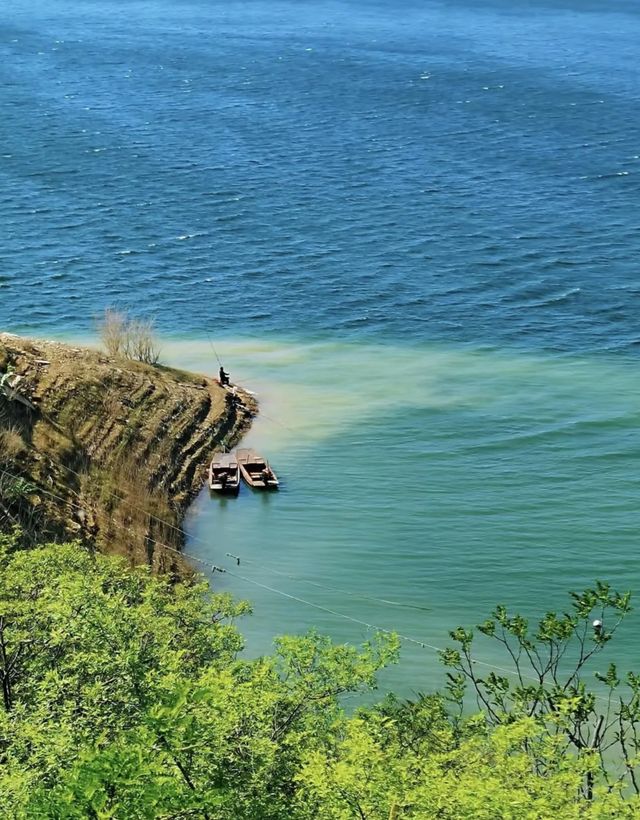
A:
[(126, 697)]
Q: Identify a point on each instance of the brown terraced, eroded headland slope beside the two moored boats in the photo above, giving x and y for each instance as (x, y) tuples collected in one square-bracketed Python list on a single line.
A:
[(108, 451)]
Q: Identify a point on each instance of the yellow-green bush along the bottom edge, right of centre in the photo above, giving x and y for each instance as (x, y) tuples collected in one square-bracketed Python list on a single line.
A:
[(369, 773)]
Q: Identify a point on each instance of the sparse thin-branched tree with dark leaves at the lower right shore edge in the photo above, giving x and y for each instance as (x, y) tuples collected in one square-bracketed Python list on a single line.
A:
[(549, 663)]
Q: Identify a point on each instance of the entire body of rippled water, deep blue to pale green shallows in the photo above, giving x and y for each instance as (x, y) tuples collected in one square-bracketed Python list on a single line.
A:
[(414, 235)]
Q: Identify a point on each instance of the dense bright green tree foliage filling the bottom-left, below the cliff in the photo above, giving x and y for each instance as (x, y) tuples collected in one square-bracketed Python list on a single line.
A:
[(125, 697)]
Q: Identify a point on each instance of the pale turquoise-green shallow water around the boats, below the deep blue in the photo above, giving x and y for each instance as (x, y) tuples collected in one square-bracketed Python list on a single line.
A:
[(422, 485)]
